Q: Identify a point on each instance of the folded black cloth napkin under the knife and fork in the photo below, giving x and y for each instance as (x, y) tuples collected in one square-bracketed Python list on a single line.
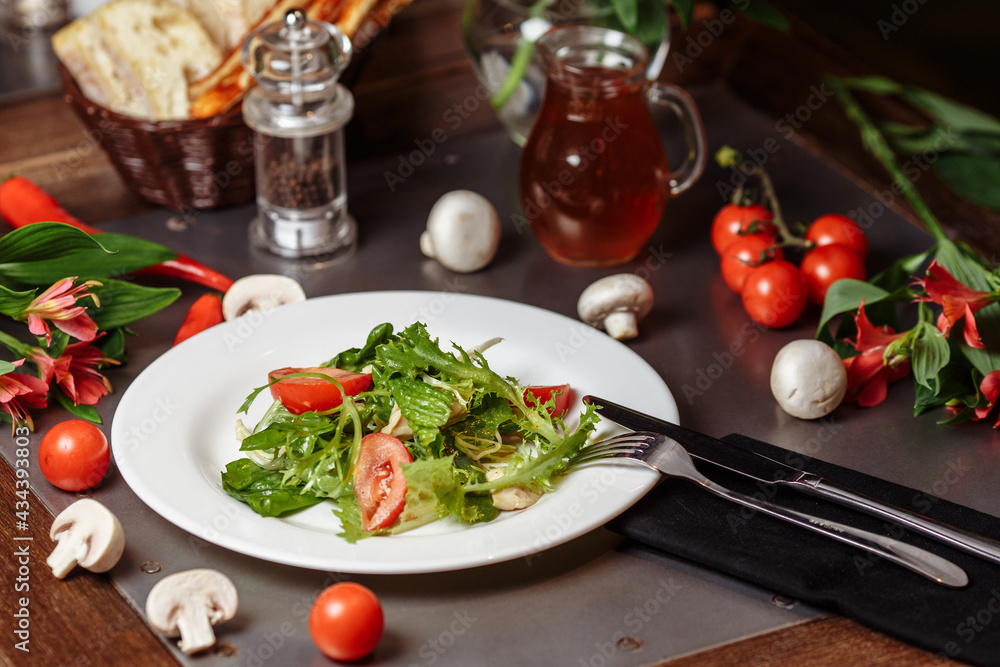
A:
[(682, 519)]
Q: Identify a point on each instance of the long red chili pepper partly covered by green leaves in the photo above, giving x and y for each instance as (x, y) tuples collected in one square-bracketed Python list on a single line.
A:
[(23, 203)]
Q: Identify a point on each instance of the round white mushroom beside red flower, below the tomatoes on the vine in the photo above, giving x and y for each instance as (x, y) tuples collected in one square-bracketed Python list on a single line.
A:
[(808, 379)]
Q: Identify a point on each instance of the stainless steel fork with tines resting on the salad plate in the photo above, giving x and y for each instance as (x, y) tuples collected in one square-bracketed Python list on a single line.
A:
[(669, 458)]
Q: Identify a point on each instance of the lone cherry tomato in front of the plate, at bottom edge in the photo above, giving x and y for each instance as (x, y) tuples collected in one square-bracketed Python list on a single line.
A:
[(346, 621)]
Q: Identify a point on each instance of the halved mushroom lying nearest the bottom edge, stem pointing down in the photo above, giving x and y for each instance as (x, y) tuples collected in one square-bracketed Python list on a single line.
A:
[(187, 604)]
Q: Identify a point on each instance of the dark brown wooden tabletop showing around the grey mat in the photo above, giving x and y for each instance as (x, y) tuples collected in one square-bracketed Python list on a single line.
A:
[(419, 64)]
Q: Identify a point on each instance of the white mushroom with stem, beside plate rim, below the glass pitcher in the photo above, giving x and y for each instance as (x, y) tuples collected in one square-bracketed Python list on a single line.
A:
[(616, 304)]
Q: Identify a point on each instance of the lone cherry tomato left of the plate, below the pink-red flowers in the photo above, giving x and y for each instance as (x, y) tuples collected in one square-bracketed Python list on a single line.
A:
[(74, 455)]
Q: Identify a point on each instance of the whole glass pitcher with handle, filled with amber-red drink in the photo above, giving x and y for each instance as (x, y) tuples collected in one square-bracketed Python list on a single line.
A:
[(594, 176)]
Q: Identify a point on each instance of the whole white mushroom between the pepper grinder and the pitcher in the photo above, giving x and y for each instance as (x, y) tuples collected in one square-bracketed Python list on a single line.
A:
[(463, 231)]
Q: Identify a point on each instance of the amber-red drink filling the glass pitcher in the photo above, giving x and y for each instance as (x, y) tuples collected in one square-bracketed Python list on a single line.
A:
[(593, 172)]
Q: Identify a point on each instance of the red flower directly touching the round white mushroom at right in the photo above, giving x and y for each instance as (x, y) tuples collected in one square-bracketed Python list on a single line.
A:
[(869, 372)]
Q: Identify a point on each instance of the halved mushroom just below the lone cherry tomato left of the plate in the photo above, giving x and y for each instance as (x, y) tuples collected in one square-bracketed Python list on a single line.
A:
[(86, 534)]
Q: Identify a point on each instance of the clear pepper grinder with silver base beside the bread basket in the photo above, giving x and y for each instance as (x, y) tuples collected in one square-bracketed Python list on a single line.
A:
[(298, 111)]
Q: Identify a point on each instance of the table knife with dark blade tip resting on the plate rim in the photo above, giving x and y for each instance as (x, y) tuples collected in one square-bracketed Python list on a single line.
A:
[(769, 471)]
